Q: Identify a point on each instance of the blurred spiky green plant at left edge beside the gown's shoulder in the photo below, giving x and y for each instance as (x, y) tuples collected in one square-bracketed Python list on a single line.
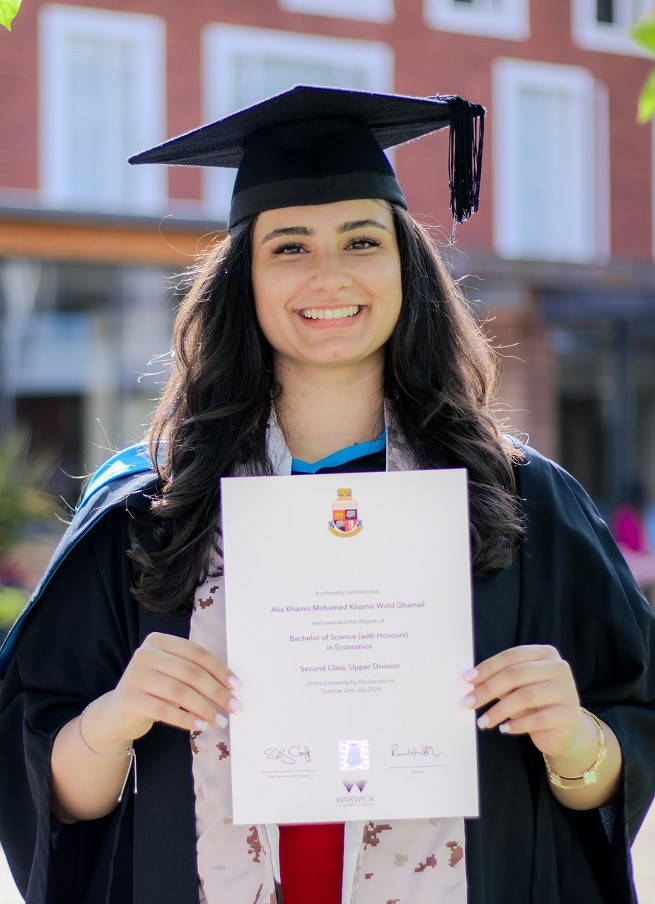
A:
[(23, 477)]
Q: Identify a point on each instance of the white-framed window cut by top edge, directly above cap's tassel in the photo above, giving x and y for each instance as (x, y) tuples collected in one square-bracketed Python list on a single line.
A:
[(490, 18)]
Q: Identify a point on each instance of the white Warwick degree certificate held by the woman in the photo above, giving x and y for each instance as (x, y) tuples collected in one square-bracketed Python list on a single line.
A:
[(350, 642)]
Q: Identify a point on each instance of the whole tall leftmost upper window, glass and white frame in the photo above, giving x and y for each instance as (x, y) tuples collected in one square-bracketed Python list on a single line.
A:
[(102, 89)]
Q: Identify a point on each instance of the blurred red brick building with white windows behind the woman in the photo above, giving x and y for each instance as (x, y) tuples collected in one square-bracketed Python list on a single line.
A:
[(559, 261)]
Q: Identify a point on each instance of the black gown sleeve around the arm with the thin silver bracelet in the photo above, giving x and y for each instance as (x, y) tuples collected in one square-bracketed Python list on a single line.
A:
[(74, 647)]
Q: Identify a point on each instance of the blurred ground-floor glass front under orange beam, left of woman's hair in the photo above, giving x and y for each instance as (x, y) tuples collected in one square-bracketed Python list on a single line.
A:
[(75, 350)]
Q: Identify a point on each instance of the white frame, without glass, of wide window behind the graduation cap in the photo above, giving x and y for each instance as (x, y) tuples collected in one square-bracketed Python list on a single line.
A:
[(223, 44)]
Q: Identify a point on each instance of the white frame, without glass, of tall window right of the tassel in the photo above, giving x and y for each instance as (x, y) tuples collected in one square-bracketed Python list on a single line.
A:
[(508, 76)]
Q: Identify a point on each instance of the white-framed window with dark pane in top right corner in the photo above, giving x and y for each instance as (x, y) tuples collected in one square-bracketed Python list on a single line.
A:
[(605, 24)]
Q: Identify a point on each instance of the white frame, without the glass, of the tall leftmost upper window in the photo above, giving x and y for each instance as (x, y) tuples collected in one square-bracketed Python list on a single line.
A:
[(56, 24)]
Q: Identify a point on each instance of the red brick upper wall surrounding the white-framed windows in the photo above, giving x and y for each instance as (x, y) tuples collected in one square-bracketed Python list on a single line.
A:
[(426, 62)]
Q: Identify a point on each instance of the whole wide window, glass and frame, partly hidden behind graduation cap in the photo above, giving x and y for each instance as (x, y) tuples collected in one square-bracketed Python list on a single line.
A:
[(245, 65)]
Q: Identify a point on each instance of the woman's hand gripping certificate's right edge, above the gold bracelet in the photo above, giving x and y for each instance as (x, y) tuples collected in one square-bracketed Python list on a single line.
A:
[(535, 694)]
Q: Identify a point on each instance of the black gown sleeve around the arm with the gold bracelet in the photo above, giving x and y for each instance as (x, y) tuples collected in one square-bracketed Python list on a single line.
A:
[(578, 594)]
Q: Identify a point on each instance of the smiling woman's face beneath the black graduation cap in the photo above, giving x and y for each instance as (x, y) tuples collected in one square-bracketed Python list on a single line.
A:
[(326, 280)]
